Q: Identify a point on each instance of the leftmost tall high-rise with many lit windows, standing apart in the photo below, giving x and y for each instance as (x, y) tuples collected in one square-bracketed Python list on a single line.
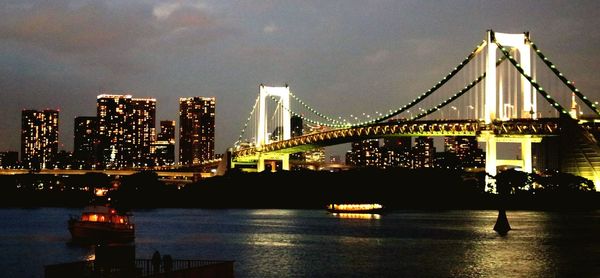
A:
[(39, 138)]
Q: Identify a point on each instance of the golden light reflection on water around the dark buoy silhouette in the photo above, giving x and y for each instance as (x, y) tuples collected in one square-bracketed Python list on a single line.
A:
[(520, 253)]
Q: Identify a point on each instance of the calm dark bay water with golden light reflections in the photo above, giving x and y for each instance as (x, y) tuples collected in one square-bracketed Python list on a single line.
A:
[(313, 243)]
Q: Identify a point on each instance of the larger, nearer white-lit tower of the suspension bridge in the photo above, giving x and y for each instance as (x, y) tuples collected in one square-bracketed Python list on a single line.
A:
[(494, 99)]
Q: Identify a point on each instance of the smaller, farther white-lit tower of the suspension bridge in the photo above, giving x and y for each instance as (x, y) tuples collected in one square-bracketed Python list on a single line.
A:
[(262, 137)]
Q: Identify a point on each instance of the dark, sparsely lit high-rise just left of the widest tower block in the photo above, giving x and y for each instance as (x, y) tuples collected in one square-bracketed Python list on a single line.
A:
[(85, 142)]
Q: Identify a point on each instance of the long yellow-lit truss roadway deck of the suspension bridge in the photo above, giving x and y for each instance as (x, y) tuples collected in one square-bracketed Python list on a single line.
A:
[(505, 131)]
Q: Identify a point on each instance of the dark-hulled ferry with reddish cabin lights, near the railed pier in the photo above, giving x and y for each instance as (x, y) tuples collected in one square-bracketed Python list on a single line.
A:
[(102, 223)]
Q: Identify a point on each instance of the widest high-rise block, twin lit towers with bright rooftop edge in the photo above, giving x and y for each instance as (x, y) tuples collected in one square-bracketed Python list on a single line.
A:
[(126, 130)]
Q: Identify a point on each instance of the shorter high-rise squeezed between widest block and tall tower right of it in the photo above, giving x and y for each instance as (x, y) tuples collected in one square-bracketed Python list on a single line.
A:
[(164, 146)]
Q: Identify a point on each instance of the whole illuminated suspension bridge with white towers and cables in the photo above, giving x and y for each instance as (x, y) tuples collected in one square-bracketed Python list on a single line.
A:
[(494, 94)]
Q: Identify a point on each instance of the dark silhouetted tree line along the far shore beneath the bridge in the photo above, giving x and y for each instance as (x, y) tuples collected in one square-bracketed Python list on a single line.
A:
[(395, 188)]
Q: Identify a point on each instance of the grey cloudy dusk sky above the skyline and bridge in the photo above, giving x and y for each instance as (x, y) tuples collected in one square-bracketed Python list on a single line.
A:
[(342, 57)]
